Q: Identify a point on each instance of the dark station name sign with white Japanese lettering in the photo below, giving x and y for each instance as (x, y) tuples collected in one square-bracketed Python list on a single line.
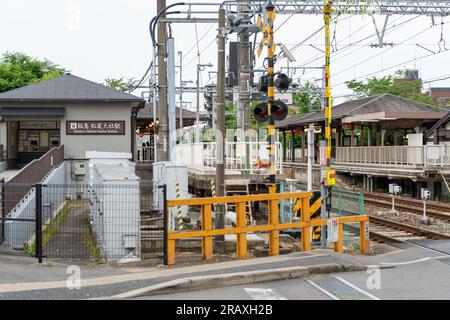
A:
[(95, 127)]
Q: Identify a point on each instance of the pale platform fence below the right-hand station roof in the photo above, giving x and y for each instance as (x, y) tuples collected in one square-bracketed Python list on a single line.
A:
[(413, 156)]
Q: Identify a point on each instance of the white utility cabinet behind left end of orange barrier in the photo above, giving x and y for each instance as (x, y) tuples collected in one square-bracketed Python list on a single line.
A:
[(168, 173)]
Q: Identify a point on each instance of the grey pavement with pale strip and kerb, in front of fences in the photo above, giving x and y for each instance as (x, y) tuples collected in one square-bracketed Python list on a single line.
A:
[(44, 282)]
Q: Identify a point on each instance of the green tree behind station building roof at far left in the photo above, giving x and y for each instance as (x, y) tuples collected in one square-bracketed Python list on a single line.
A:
[(18, 70)]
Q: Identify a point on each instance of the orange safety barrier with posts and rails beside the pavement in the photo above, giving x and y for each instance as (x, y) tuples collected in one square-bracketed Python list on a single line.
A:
[(241, 229)]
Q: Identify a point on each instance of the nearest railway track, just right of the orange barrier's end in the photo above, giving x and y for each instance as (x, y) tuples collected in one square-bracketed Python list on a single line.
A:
[(391, 232)]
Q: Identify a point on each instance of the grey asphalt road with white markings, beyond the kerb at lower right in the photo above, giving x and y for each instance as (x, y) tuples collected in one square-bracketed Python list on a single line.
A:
[(422, 279)]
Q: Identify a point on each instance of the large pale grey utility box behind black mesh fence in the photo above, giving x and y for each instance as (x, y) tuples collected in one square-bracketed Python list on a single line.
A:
[(115, 210)]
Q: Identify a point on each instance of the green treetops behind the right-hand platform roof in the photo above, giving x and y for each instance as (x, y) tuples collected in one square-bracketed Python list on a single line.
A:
[(397, 84)]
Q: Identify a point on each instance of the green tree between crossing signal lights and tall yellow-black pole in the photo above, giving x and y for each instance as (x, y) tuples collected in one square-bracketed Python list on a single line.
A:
[(307, 99)]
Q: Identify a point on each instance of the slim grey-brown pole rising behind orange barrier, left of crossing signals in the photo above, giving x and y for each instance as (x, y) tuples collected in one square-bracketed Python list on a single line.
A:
[(220, 131)]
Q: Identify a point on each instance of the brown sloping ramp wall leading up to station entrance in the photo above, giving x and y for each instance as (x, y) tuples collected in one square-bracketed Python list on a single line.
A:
[(17, 187)]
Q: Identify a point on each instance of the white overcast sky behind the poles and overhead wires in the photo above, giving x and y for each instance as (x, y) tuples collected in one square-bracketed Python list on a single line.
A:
[(109, 38)]
